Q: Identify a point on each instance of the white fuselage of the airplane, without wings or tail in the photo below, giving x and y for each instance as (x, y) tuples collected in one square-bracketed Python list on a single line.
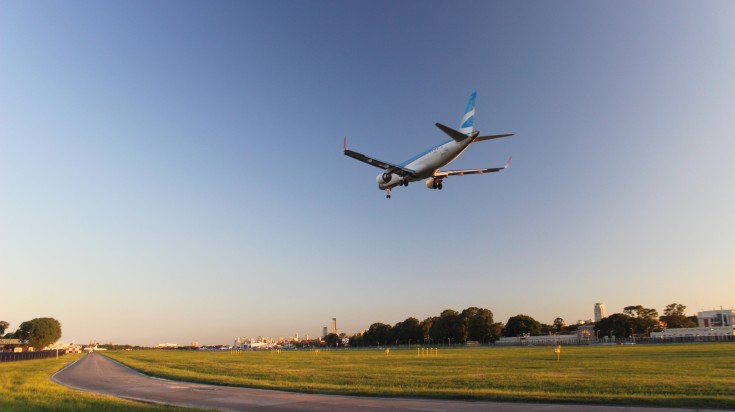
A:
[(427, 163)]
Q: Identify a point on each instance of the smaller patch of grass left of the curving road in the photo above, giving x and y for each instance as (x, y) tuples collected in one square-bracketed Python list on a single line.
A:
[(27, 386)]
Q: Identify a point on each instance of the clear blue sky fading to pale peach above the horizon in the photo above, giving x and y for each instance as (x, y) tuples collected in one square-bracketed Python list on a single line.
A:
[(172, 171)]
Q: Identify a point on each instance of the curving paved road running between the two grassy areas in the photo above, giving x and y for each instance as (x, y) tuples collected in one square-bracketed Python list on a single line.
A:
[(97, 373)]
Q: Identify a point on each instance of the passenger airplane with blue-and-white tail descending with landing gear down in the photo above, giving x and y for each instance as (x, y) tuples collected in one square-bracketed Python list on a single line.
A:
[(426, 164)]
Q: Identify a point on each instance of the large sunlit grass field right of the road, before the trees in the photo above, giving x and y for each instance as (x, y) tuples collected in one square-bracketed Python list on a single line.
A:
[(691, 375)]
